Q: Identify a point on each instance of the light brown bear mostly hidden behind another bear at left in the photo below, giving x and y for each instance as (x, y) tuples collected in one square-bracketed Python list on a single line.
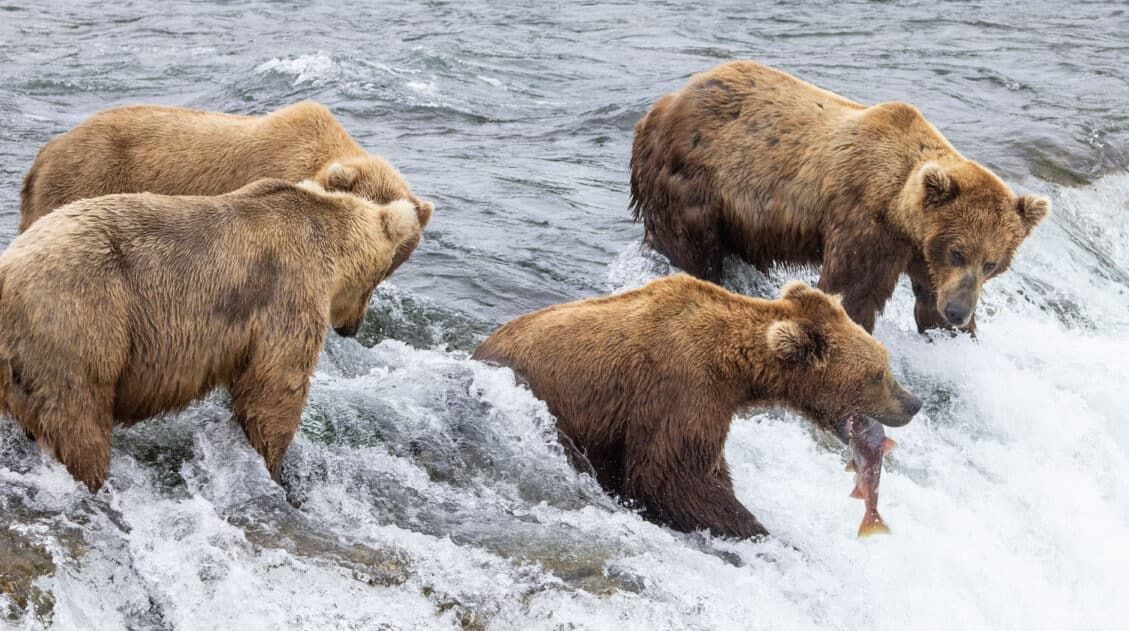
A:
[(180, 152)]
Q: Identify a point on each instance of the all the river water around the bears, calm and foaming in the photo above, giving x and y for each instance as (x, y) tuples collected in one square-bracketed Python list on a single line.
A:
[(427, 492)]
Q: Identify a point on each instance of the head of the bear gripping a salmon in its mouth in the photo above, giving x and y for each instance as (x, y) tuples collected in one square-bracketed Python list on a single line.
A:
[(830, 367)]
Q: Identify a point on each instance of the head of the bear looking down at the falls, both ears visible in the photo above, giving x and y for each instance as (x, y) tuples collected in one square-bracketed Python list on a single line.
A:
[(976, 226)]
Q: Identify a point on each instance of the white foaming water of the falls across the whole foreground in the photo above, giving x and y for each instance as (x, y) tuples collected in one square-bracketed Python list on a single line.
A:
[(430, 492)]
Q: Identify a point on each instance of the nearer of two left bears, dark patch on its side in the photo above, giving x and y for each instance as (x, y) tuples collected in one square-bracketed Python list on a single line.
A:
[(121, 308)]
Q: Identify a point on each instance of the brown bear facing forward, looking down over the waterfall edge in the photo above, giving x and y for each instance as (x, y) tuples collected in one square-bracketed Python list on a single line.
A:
[(749, 161)]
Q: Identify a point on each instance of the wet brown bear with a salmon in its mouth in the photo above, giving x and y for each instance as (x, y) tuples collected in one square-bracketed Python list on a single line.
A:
[(645, 384)]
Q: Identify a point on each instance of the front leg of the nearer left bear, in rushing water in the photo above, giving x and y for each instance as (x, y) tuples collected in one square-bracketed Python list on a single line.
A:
[(269, 406)]
